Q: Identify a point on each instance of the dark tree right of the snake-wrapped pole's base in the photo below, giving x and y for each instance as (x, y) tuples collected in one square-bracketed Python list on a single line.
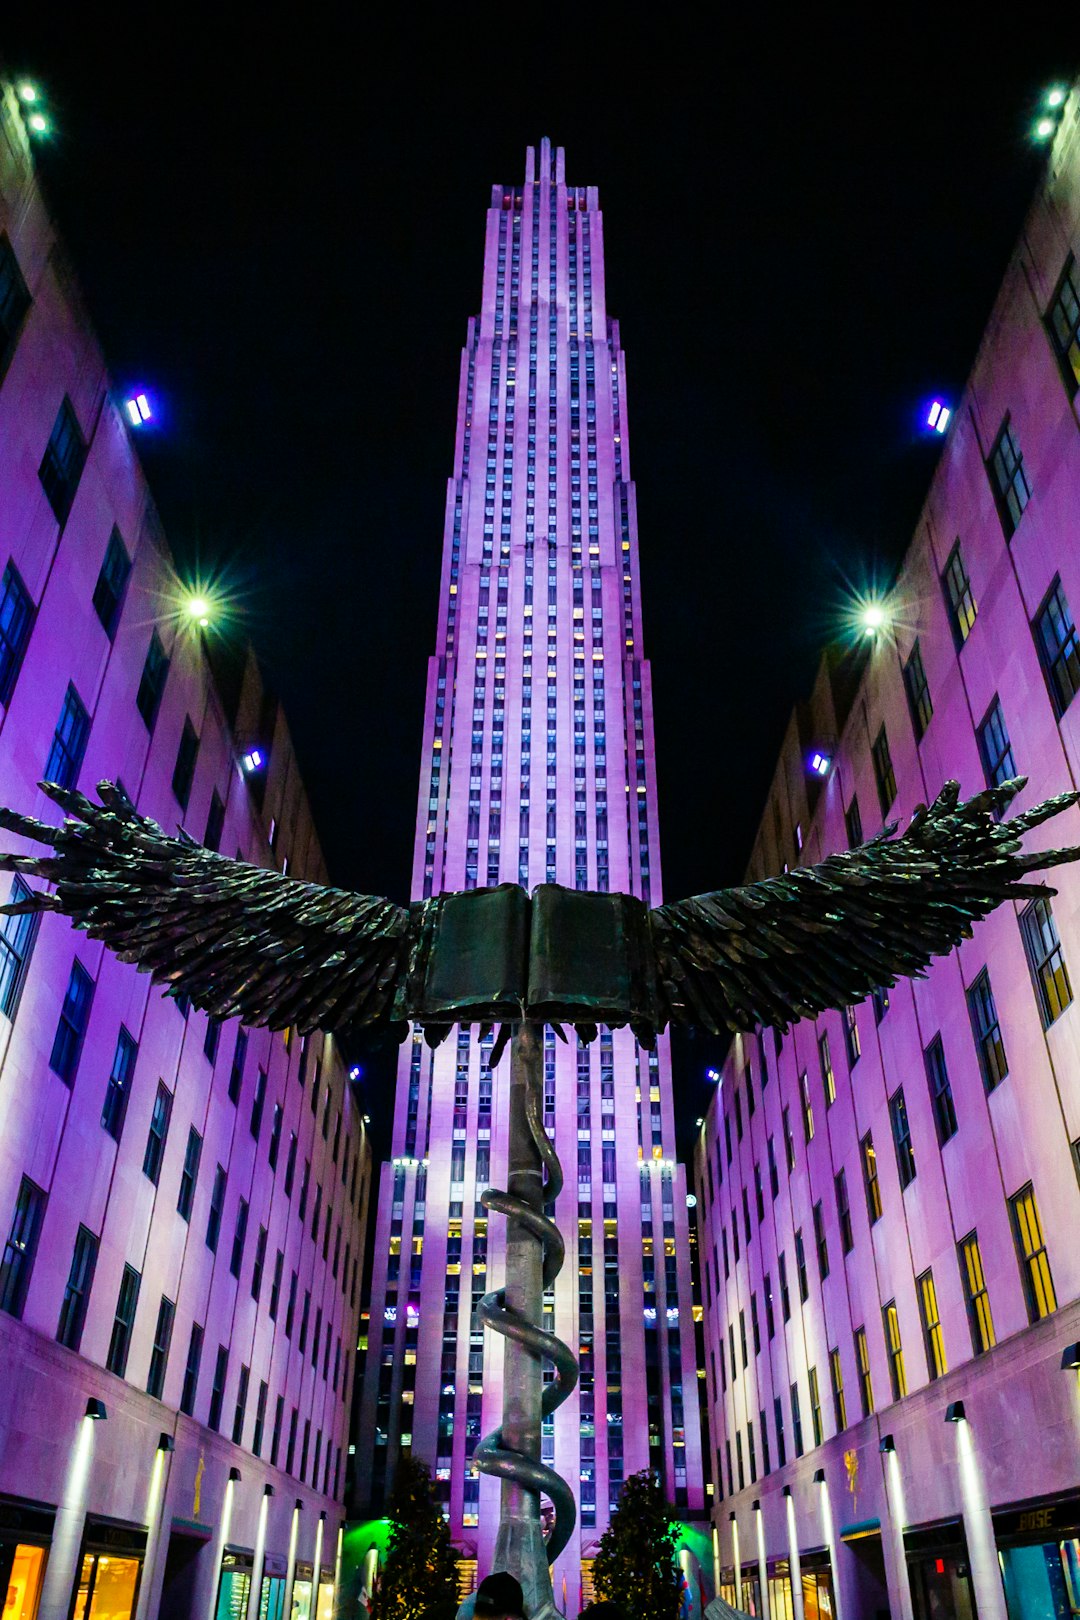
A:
[(636, 1564)]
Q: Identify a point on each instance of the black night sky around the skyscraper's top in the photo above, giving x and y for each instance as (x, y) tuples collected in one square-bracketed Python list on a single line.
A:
[(281, 237)]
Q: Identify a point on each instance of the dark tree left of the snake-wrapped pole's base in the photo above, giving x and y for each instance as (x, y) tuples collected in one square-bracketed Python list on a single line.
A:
[(422, 1566)]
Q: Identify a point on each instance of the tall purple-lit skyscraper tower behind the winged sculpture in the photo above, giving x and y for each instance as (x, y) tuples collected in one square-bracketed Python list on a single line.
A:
[(538, 767)]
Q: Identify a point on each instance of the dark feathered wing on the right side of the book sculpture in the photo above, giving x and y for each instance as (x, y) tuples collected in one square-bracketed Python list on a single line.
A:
[(827, 936)]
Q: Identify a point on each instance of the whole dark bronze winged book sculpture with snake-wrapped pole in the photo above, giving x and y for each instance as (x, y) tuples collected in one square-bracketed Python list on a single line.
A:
[(249, 944)]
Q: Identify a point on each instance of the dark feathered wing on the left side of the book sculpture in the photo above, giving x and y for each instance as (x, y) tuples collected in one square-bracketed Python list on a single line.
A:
[(239, 940)]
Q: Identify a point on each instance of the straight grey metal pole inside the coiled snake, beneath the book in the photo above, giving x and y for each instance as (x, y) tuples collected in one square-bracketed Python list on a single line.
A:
[(521, 1546)]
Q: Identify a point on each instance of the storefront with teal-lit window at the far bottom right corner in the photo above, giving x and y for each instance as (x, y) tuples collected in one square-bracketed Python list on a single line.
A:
[(1039, 1546)]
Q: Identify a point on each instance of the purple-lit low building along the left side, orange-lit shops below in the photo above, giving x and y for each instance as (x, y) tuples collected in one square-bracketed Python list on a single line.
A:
[(181, 1204)]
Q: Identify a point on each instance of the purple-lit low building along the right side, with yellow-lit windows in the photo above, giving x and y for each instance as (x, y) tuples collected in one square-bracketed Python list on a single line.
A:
[(888, 1200)]
